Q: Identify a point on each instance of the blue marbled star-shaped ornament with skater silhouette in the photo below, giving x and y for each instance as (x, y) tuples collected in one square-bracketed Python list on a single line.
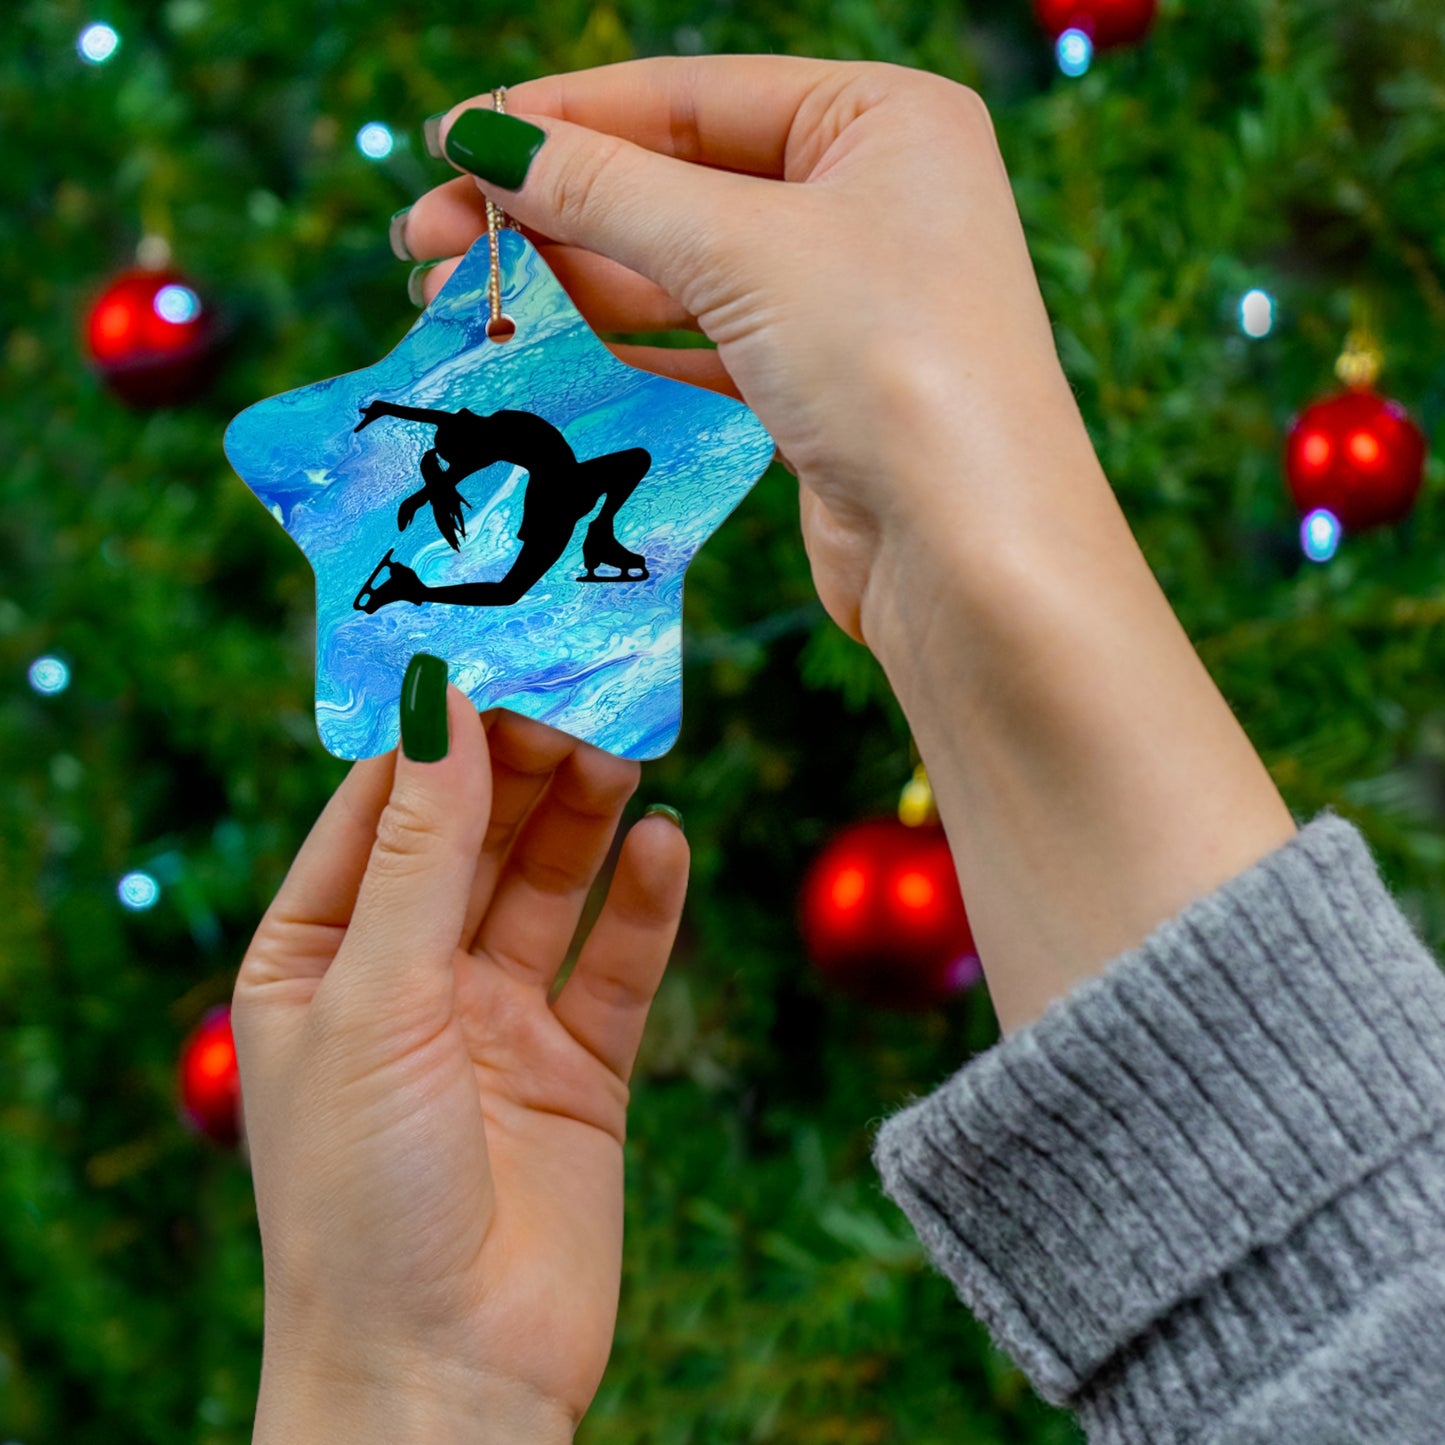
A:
[(524, 509)]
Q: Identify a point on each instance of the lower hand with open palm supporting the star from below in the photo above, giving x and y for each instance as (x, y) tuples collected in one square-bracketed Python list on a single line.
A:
[(437, 1145)]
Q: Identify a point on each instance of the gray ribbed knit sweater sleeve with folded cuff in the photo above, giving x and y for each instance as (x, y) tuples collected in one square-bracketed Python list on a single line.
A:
[(1202, 1202)]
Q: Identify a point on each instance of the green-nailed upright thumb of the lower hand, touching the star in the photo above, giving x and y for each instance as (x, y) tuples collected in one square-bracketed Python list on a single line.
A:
[(407, 926)]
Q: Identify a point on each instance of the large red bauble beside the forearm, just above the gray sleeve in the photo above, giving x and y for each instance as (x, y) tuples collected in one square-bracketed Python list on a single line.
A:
[(884, 918)]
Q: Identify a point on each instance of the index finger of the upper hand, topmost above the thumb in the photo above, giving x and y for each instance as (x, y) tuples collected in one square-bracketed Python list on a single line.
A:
[(730, 112)]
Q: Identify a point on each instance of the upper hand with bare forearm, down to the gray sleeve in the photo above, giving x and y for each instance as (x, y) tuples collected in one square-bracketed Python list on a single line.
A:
[(849, 238)]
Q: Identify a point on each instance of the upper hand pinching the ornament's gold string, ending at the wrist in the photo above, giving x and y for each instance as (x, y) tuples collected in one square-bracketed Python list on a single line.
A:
[(847, 236)]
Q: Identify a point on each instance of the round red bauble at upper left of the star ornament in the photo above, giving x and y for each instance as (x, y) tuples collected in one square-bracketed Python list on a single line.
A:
[(152, 339)]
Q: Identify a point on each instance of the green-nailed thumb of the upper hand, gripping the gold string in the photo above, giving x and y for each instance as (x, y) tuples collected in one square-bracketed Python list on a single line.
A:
[(665, 219)]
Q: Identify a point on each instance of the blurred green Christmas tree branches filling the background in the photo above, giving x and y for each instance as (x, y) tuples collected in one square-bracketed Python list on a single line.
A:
[(771, 1291)]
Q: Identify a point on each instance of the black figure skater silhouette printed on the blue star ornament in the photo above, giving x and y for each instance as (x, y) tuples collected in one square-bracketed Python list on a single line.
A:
[(561, 491)]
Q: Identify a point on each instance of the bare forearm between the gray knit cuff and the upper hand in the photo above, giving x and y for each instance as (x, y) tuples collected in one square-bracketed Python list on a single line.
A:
[(1092, 778)]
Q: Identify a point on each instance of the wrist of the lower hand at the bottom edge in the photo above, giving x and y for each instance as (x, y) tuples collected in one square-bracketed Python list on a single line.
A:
[(402, 1402)]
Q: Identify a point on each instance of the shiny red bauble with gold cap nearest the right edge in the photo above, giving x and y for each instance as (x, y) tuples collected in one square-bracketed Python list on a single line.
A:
[(1358, 456)]
